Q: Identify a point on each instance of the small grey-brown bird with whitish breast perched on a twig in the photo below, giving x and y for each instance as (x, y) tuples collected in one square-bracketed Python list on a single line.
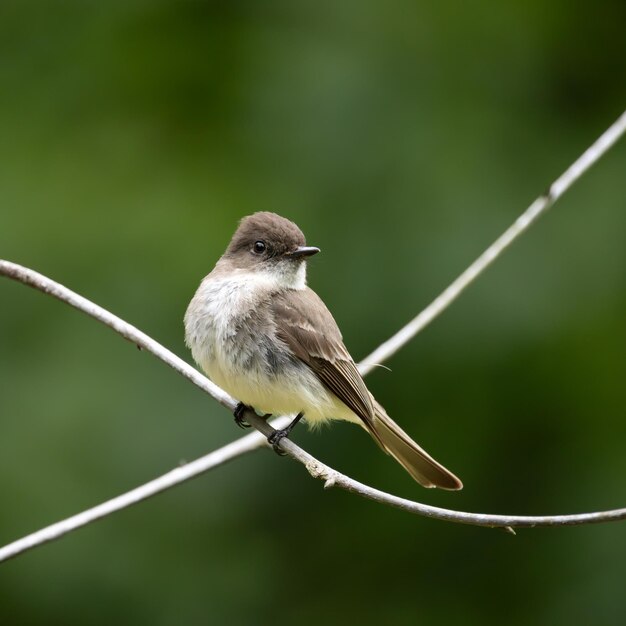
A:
[(266, 338)]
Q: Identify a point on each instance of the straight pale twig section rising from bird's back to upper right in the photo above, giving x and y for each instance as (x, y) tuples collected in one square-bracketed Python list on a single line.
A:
[(521, 224)]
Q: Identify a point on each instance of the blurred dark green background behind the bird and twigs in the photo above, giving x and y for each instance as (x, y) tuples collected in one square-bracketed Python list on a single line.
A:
[(403, 137)]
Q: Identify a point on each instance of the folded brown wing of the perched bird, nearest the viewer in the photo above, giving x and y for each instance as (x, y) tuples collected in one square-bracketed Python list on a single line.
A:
[(308, 328)]
